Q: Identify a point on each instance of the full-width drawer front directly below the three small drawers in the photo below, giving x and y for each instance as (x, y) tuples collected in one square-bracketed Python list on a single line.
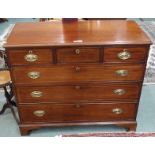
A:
[(36, 75)]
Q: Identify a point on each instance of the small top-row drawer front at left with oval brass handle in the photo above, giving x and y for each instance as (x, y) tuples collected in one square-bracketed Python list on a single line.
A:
[(30, 57)]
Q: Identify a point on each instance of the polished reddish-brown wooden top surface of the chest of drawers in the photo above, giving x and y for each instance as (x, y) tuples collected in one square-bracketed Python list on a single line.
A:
[(97, 32)]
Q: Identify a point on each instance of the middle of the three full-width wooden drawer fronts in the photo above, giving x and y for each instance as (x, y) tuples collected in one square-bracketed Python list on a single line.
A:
[(79, 92)]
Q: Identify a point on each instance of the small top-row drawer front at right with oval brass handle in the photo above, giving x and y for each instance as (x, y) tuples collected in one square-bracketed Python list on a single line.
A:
[(123, 54)]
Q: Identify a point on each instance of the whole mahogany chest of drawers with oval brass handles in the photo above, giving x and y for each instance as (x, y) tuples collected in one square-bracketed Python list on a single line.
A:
[(77, 73)]
